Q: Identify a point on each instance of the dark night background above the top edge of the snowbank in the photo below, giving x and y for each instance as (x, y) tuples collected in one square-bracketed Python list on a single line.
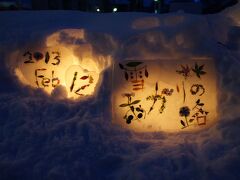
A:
[(151, 6)]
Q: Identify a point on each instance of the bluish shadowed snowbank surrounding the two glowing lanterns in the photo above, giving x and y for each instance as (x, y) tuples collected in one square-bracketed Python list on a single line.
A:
[(44, 138)]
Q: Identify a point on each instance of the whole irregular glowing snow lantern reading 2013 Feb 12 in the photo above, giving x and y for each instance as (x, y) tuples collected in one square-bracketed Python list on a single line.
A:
[(58, 64)]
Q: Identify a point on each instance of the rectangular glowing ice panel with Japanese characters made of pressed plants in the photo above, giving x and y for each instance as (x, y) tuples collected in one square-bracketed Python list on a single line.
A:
[(165, 95)]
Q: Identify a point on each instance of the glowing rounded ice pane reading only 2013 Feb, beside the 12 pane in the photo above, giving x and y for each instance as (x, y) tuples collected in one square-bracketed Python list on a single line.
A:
[(44, 68)]
